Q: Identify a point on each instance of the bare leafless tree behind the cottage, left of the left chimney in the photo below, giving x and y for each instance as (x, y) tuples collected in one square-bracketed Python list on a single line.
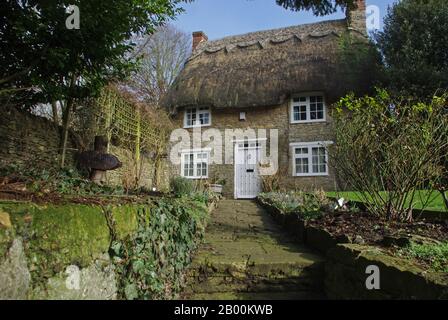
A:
[(162, 55)]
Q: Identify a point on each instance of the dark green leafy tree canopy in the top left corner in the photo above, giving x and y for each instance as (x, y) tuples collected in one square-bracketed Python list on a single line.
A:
[(36, 48)]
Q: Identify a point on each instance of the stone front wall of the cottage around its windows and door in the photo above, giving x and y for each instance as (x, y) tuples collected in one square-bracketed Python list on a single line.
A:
[(276, 117)]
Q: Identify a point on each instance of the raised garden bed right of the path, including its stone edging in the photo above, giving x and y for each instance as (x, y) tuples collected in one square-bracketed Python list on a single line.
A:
[(414, 253)]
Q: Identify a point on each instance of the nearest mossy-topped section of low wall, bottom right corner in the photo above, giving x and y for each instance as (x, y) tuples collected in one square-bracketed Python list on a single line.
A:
[(345, 276)]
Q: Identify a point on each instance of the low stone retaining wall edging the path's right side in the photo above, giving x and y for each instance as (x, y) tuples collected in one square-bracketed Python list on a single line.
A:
[(346, 264)]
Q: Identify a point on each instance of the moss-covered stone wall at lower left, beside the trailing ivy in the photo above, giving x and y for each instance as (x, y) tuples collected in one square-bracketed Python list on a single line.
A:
[(59, 252)]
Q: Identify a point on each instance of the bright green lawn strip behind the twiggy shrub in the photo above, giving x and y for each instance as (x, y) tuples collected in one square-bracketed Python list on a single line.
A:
[(435, 199)]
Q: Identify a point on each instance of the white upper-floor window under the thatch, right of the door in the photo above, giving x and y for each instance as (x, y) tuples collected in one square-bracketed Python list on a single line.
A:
[(307, 108)]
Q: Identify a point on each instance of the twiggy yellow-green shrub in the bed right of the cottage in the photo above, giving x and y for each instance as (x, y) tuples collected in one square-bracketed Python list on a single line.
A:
[(389, 151)]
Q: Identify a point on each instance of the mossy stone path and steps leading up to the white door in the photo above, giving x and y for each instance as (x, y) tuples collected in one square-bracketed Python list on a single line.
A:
[(246, 256)]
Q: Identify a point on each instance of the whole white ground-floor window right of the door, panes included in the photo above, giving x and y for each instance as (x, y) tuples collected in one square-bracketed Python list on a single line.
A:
[(310, 159)]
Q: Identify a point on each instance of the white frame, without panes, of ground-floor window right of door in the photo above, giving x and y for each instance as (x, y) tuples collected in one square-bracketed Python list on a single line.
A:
[(309, 146)]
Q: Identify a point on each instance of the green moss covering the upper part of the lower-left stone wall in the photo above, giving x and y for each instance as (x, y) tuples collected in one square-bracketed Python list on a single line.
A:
[(56, 236)]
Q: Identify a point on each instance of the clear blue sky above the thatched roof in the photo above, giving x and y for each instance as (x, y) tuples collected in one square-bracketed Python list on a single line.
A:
[(220, 18)]
